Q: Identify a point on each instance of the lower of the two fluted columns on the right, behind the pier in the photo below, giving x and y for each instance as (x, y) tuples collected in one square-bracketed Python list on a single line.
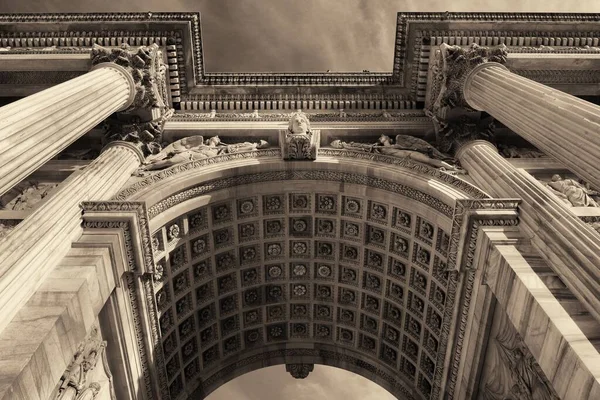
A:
[(569, 245)]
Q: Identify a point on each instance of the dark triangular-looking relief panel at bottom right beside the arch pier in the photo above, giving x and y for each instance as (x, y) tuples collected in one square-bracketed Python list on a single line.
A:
[(510, 372)]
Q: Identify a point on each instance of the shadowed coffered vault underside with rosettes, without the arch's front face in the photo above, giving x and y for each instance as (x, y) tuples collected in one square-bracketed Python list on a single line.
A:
[(354, 270)]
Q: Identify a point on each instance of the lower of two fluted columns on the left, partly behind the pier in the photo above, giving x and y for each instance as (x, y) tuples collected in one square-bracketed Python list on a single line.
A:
[(38, 243)]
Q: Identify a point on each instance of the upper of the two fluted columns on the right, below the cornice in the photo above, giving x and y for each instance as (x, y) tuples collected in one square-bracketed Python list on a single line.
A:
[(561, 125)]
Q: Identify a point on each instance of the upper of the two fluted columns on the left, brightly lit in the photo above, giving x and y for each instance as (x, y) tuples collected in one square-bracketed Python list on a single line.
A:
[(38, 127)]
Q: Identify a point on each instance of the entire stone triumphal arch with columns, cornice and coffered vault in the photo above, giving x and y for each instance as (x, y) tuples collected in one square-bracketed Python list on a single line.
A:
[(434, 229)]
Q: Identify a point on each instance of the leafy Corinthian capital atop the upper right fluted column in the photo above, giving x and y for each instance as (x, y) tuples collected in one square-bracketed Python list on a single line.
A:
[(449, 70)]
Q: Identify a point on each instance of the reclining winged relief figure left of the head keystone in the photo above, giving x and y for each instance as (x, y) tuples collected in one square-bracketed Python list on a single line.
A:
[(195, 148)]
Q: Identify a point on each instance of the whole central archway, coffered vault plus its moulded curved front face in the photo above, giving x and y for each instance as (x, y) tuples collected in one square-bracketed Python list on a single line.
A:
[(263, 262)]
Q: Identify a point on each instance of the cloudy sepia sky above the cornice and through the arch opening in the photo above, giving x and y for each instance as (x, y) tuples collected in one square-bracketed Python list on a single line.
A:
[(298, 35)]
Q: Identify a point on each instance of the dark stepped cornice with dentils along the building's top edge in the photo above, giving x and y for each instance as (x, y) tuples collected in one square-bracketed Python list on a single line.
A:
[(180, 34)]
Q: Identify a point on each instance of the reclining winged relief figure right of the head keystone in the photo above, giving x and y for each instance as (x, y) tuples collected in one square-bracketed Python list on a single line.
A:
[(405, 146)]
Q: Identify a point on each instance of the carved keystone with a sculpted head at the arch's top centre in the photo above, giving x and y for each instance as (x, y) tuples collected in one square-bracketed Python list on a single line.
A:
[(299, 142)]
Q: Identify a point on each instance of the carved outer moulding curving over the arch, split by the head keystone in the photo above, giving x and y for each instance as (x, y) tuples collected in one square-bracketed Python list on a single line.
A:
[(458, 183)]
